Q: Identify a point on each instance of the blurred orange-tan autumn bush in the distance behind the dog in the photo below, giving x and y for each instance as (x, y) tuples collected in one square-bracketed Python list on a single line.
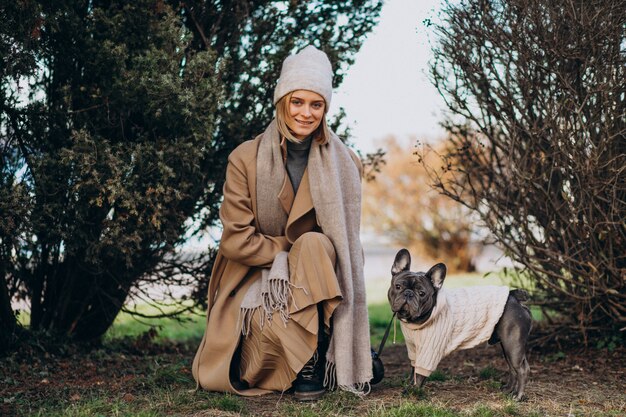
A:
[(400, 204)]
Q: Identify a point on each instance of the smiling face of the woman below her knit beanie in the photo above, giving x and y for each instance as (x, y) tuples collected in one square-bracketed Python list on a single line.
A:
[(305, 112)]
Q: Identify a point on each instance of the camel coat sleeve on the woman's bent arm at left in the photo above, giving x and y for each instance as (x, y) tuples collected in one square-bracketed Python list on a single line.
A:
[(241, 242)]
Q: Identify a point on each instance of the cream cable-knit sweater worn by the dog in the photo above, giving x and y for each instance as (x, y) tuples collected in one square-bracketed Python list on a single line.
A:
[(462, 319)]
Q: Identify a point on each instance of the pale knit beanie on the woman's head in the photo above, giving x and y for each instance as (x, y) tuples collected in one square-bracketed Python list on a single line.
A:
[(310, 70)]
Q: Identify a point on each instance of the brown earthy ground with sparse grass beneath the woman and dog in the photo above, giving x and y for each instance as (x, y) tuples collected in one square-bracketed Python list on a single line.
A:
[(147, 379)]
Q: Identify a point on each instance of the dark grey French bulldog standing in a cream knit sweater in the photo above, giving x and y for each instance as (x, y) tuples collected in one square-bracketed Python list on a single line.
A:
[(436, 322)]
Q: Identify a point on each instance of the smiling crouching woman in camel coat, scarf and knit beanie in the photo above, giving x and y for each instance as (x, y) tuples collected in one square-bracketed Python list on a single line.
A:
[(286, 302)]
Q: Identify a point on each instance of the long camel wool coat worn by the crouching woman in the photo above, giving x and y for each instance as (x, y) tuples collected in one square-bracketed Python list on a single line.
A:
[(242, 253)]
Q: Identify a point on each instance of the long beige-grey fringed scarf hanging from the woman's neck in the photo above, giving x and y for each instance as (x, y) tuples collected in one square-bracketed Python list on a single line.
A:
[(336, 195)]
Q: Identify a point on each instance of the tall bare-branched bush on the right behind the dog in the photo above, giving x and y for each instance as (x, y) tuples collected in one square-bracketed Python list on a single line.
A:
[(537, 101)]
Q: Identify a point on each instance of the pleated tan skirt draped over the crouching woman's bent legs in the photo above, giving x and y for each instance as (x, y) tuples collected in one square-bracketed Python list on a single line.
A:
[(272, 355)]
